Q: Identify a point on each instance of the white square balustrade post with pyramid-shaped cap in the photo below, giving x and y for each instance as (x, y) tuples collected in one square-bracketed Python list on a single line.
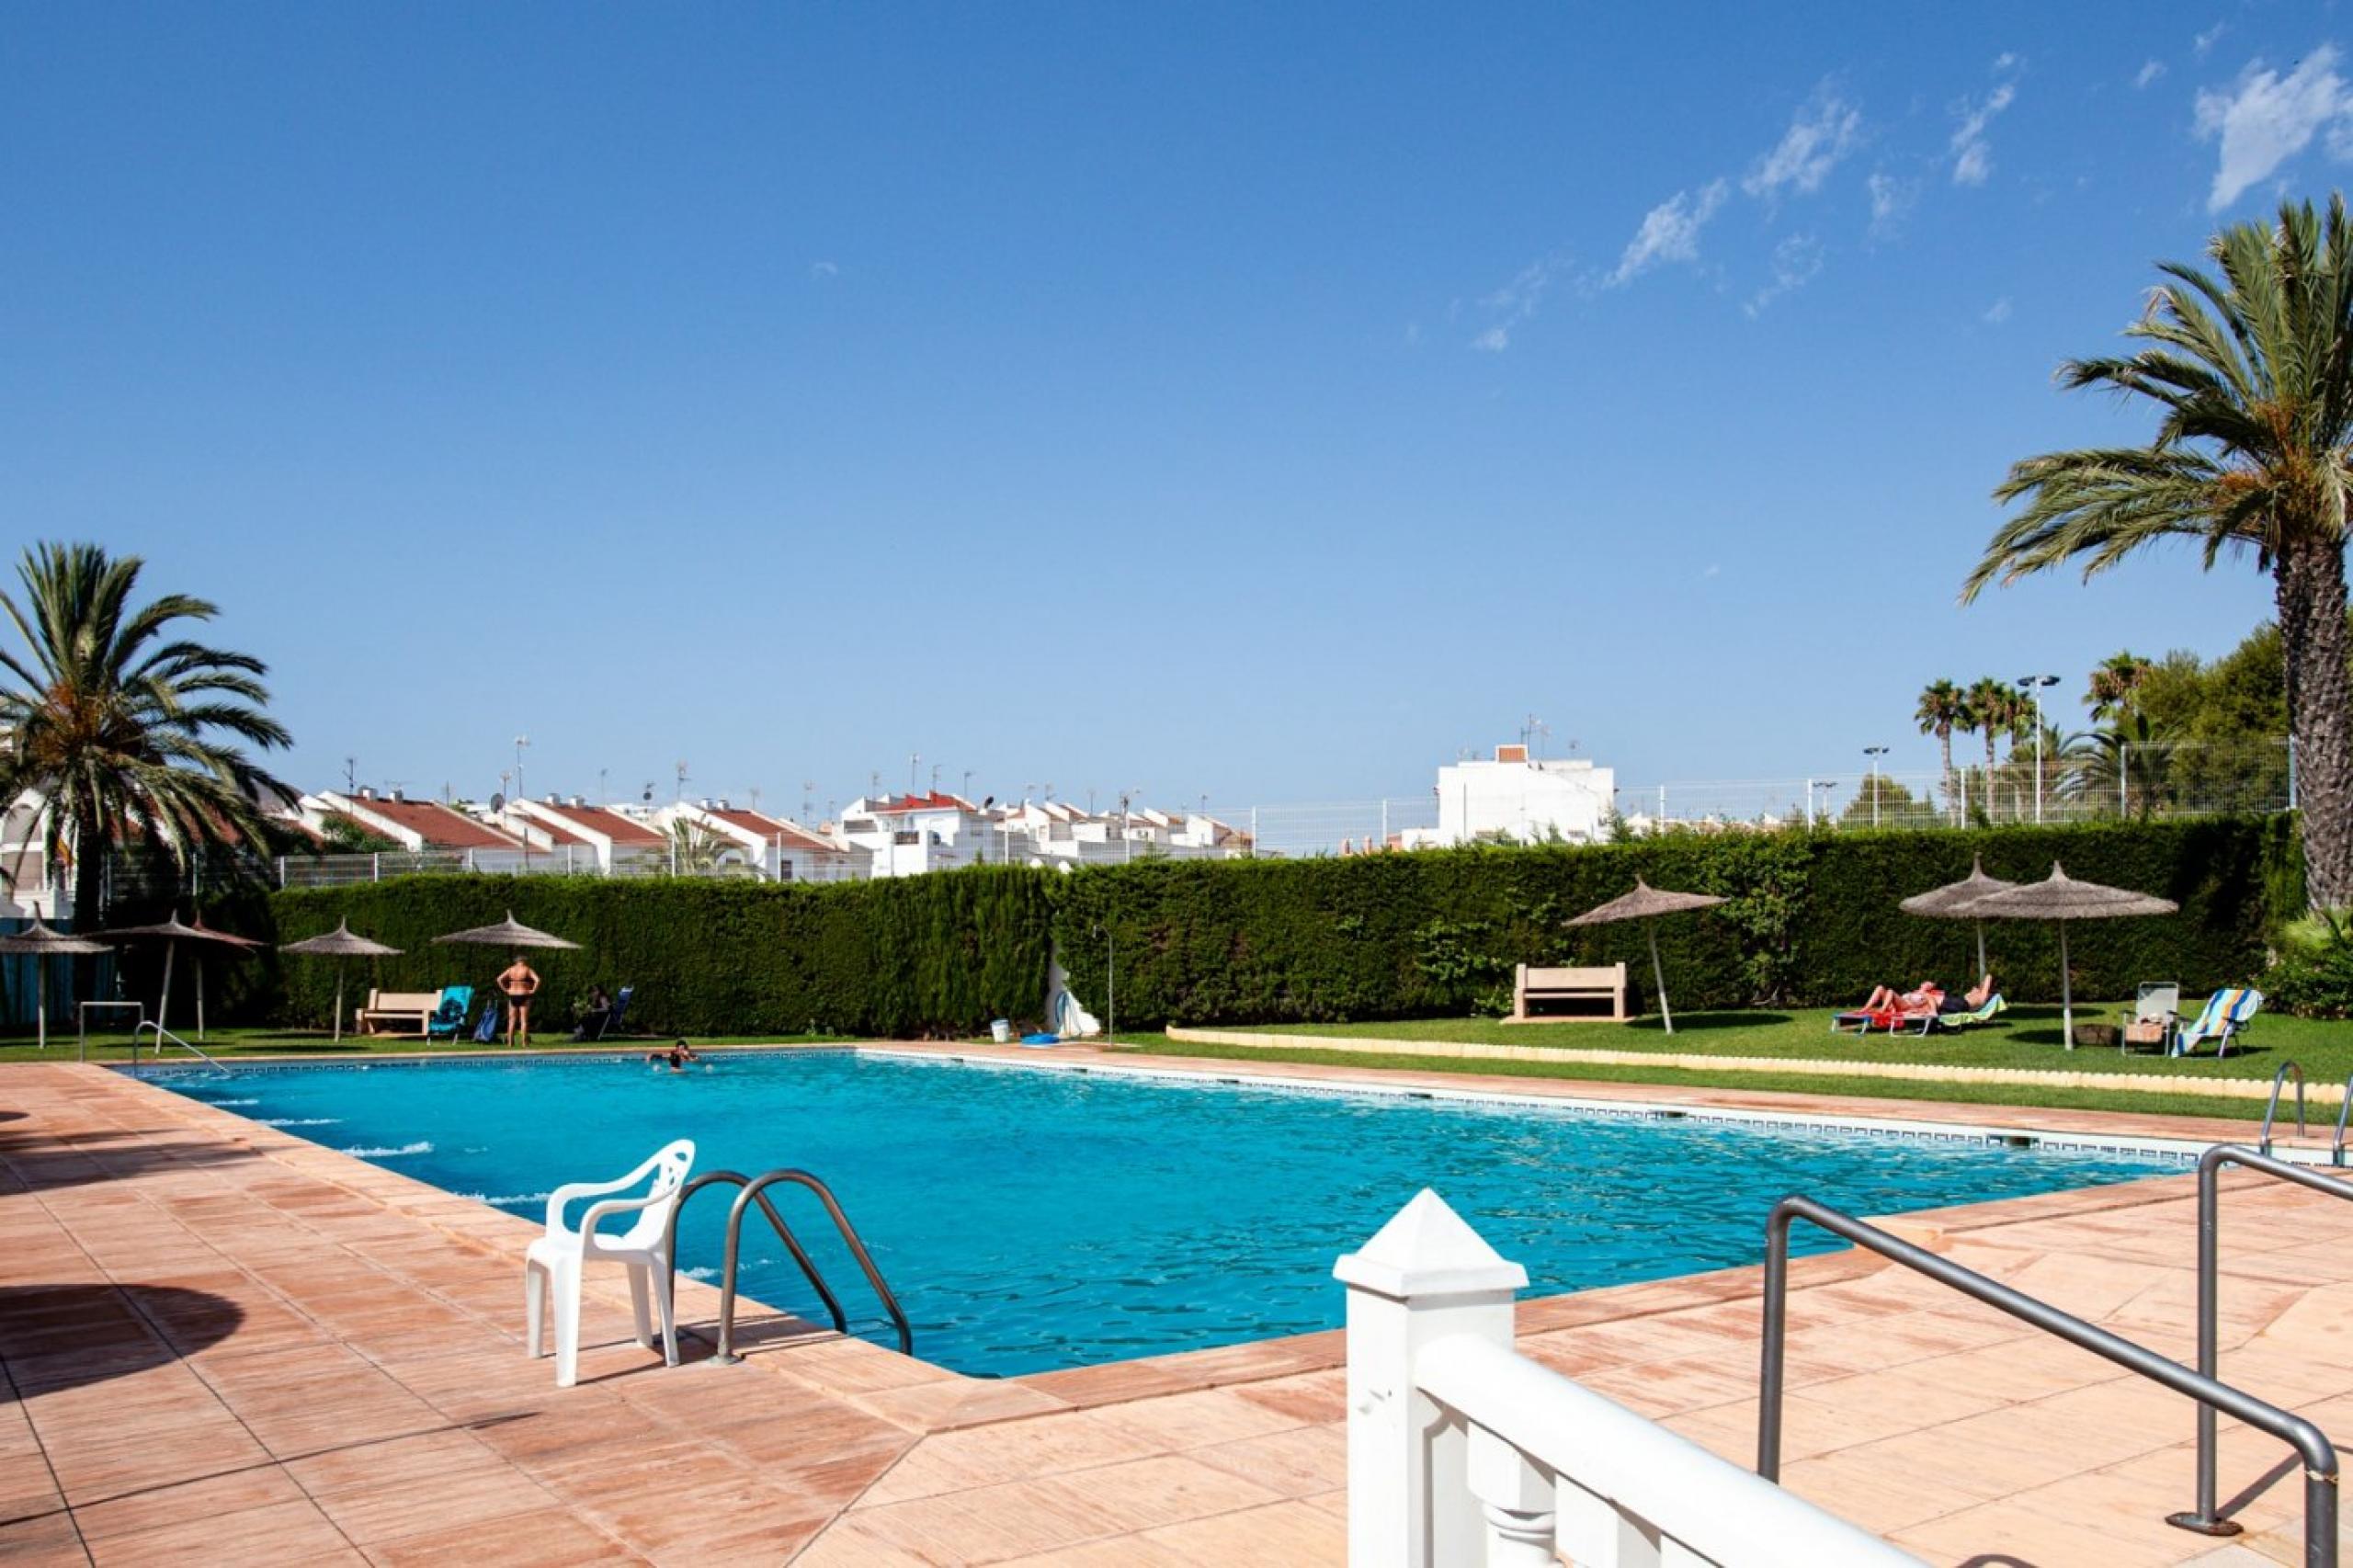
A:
[(1425, 1277)]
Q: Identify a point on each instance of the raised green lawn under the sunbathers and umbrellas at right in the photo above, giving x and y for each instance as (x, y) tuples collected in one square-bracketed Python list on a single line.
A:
[(2022, 1037)]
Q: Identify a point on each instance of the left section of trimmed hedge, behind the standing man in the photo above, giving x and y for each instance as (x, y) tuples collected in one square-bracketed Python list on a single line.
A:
[(916, 957)]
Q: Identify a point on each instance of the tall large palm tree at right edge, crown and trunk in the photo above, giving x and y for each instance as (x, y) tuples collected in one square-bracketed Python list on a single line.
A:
[(2253, 385)]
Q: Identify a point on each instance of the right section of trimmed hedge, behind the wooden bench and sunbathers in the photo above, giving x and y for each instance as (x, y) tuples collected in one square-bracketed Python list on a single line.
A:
[(1811, 922)]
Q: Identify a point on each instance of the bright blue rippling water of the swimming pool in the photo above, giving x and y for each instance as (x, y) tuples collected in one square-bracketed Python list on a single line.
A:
[(1039, 1221)]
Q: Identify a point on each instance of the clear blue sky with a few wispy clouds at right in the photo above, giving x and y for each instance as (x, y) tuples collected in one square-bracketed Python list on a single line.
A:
[(1237, 401)]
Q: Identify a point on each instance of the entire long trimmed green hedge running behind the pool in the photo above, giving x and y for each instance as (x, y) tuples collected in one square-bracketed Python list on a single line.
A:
[(1811, 919)]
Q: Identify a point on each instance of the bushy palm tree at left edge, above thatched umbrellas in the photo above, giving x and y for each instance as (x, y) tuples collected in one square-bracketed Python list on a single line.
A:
[(124, 726)]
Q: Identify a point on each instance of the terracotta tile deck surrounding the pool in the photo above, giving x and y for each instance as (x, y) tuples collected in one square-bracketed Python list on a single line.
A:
[(232, 1346)]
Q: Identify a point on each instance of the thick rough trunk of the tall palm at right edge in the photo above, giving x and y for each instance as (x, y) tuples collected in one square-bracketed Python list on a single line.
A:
[(2309, 580)]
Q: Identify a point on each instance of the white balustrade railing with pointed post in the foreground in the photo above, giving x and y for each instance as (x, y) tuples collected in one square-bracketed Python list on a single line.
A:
[(1467, 1454)]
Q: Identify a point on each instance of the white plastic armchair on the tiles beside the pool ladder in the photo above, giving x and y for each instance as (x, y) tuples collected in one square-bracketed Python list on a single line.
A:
[(556, 1261)]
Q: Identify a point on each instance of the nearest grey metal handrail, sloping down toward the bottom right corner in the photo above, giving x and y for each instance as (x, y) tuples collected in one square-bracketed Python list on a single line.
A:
[(2213, 1395)]
